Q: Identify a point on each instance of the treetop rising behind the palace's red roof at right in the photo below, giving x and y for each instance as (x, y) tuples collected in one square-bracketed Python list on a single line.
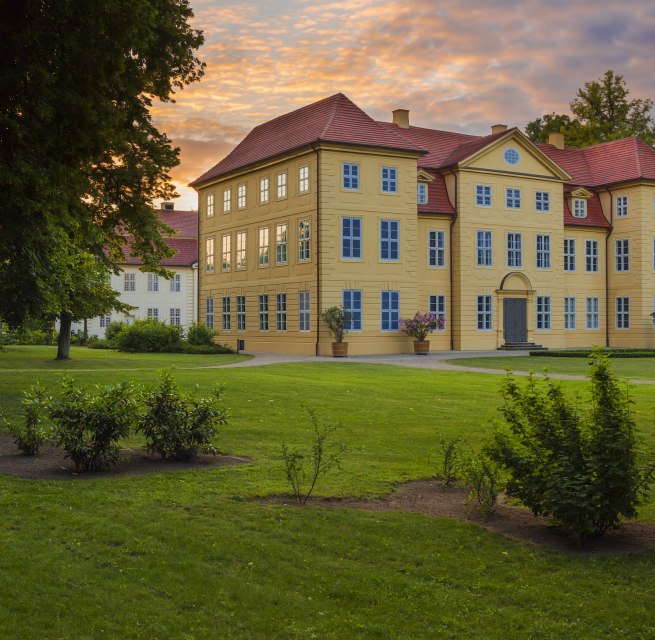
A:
[(601, 111)]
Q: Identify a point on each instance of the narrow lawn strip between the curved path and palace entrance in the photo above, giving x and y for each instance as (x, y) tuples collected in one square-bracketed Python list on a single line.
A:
[(643, 368)]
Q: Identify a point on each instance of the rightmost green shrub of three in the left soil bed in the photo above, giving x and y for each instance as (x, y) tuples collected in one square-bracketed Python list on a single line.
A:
[(178, 425)]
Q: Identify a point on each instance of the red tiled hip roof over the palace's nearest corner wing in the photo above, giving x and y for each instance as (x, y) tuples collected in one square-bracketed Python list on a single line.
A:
[(334, 119)]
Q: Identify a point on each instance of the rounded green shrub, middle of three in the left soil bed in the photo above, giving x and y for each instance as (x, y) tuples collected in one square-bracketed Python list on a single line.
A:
[(88, 426)]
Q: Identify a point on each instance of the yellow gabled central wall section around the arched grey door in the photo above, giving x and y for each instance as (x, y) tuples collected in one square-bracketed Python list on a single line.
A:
[(529, 282)]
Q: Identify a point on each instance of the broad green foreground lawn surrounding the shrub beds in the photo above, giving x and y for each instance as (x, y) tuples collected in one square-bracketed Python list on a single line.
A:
[(191, 555)]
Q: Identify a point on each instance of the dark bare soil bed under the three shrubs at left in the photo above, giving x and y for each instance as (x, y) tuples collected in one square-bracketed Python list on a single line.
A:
[(52, 465)]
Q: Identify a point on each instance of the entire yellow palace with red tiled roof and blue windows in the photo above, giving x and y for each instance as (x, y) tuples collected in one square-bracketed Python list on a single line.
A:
[(512, 243)]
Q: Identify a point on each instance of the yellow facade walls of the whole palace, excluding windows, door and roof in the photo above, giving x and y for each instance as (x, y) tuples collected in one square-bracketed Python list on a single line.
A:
[(573, 321)]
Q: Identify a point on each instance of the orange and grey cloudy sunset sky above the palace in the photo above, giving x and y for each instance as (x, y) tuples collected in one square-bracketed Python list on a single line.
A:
[(456, 65)]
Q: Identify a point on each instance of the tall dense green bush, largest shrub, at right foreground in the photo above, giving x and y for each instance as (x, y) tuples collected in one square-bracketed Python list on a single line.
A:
[(583, 473)]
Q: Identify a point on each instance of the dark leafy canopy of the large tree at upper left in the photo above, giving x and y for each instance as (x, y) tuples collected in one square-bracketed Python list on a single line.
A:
[(79, 154)]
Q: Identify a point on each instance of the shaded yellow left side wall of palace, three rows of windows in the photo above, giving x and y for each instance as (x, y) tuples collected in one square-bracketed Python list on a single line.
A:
[(252, 279)]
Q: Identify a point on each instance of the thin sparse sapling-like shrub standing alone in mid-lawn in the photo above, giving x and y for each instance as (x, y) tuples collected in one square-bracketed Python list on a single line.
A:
[(304, 470)]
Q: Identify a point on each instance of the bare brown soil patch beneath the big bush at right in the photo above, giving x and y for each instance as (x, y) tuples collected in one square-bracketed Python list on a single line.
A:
[(429, 498)]
